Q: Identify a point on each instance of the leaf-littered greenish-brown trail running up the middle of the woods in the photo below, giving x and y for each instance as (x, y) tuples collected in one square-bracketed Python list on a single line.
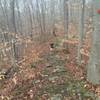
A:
[(52, 82)]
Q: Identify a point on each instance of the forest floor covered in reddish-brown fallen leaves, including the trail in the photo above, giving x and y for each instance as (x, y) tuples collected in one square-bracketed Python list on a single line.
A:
[(54, 75)]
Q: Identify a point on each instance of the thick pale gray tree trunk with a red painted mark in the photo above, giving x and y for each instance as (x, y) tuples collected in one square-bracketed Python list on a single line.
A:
[(93, 69)]
